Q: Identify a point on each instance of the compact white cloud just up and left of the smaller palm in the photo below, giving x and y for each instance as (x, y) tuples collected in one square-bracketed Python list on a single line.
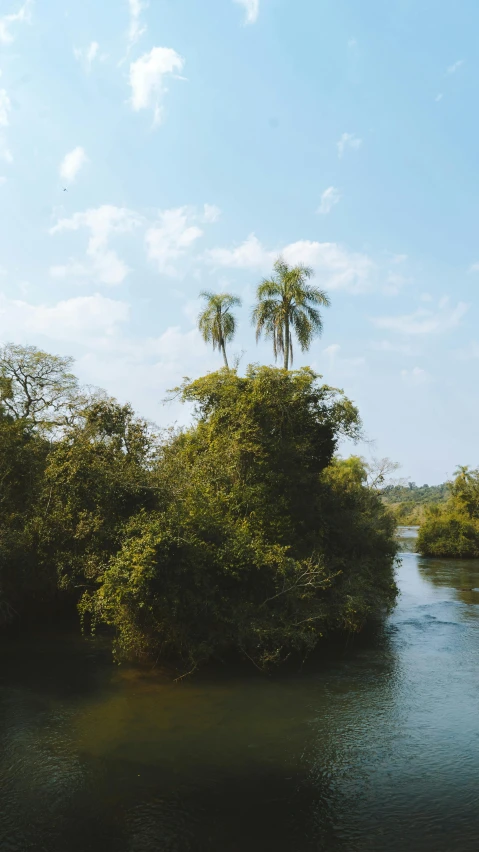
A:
[(171, 236)]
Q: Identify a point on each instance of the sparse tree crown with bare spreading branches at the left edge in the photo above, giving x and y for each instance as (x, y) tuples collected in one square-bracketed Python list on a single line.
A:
[(36, 387)]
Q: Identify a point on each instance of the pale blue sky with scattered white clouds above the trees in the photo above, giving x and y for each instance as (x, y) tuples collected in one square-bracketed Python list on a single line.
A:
[(150, 151)]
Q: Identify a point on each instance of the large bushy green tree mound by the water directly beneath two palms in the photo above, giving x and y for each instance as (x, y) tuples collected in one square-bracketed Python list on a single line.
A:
[(260, 543)]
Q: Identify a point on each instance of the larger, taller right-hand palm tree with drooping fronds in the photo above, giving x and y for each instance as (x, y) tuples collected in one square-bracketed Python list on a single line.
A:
[(287, 303)]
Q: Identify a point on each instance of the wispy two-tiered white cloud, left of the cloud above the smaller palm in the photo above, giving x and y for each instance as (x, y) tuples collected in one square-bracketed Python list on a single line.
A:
[(102, 222)]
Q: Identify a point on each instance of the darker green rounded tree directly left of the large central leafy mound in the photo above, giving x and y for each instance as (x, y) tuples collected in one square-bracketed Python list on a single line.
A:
[(97, 476)]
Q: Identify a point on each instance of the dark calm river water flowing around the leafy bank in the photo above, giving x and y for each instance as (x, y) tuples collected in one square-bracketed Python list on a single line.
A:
[(375, 748)]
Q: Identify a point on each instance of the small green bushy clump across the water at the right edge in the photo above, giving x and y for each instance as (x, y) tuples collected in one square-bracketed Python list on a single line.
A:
[(453, 528)]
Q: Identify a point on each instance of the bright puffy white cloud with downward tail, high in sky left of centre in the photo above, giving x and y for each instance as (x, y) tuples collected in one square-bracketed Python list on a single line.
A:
[(147, 78)]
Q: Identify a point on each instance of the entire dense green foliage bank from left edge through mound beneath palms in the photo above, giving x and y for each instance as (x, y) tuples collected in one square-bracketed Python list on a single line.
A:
[(241, 533)]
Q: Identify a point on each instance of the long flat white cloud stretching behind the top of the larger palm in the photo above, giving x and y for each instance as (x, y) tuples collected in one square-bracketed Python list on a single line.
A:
[(337, 267)]
